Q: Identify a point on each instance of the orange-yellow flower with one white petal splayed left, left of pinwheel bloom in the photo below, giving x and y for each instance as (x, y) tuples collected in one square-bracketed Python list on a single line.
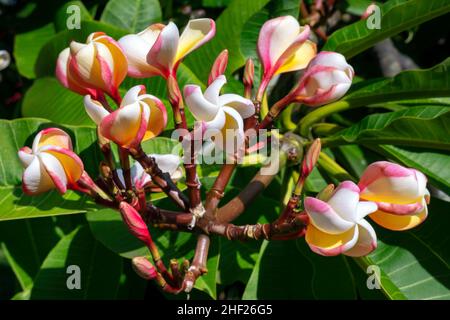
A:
[(140, 117)]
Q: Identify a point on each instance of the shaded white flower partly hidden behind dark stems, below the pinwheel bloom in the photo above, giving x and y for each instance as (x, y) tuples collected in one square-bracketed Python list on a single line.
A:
[(168, 163)]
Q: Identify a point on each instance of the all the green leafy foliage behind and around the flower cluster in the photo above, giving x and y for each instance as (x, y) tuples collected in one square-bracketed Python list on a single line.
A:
[(405, 118)]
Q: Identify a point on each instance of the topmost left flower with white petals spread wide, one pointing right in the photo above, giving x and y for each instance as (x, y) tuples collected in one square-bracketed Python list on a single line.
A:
[(159, 49)]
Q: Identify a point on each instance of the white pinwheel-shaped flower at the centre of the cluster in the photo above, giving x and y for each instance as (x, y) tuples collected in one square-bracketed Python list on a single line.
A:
[(221, 116)]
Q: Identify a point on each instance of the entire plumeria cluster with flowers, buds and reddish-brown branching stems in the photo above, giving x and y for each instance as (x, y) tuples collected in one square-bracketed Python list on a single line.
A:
[(334, 222)]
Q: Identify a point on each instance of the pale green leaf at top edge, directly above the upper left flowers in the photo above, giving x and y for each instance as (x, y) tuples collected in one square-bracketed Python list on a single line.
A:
[(132, 15)]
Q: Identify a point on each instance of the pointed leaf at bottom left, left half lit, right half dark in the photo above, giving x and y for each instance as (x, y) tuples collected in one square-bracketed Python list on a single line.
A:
[(100, 269)]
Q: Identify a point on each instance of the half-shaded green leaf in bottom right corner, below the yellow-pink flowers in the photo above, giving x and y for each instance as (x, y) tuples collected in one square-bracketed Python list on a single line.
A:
[(414, 264)]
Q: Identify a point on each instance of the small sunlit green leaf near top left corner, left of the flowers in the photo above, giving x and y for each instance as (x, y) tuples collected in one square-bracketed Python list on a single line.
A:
[(27, 46)]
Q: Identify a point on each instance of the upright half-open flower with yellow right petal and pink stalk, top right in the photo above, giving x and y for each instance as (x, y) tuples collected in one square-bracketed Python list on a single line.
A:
[(283, 46)]
